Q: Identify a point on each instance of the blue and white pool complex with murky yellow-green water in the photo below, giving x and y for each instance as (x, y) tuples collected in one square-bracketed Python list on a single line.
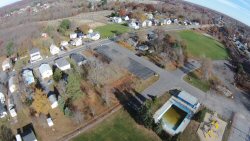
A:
[(181, 107)]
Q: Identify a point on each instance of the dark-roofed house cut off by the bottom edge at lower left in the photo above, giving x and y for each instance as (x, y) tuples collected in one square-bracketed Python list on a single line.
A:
[(27, 134)]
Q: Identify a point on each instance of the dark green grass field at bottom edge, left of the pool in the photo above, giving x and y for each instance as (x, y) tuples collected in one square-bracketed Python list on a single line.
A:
[(119, 127)]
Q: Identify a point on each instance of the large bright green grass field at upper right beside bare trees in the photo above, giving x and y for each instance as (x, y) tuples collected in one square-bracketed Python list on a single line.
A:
[(200, 45)]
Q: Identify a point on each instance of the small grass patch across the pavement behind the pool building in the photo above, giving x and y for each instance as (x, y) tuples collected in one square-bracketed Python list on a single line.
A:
[(193, 79)]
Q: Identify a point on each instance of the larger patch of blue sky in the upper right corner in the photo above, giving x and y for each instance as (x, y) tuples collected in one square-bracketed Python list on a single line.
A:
[(237, 9)]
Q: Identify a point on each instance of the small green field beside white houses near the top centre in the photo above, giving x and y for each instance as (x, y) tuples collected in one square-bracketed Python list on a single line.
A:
[(110, 30)]
